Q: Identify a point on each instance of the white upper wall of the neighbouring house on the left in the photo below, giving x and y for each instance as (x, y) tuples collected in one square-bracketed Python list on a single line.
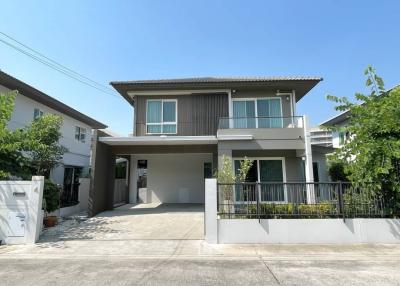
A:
[(78, 153)]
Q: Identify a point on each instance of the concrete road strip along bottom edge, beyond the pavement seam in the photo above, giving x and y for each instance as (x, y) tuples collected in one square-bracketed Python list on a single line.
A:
[(208, 271)]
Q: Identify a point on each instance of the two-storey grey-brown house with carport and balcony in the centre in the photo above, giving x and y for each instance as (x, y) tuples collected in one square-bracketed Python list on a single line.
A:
[(183, 127)]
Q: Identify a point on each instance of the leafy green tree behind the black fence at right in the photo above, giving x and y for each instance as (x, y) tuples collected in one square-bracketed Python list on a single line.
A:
[(372, 155)]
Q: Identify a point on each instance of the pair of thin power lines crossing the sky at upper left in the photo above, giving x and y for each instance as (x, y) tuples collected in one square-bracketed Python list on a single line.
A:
[(59, 67)]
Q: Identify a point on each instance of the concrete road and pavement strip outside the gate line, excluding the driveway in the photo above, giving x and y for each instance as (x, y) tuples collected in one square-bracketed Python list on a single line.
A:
[(196, 263)]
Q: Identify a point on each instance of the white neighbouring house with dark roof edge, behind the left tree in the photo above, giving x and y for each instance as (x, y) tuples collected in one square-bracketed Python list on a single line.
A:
[(76, 130)]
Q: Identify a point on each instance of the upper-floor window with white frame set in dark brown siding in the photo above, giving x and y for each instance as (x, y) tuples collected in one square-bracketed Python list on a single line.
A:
[(161, 116)]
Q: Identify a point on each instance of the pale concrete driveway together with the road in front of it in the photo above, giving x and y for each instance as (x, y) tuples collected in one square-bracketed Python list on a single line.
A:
[(124, 247)]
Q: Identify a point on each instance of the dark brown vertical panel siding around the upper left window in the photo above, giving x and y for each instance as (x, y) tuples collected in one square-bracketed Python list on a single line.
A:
[(198, 114)]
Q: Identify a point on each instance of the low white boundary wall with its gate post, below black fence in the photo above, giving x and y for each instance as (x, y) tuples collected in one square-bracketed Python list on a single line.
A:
[(275, 231)]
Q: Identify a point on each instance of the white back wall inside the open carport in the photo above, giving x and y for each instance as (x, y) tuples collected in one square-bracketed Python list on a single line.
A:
[(172, 178)]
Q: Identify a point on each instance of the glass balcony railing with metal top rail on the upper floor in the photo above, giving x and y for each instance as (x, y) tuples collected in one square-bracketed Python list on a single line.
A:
[(260, 122)]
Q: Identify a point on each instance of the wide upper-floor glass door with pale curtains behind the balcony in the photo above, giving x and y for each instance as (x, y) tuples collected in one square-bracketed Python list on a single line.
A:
[(257, 113)]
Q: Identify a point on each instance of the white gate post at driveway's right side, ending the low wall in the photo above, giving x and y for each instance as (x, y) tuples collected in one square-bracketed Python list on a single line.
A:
[(210, 211)]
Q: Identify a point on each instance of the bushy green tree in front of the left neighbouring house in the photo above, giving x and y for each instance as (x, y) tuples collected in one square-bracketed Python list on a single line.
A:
[(33, 149)]
